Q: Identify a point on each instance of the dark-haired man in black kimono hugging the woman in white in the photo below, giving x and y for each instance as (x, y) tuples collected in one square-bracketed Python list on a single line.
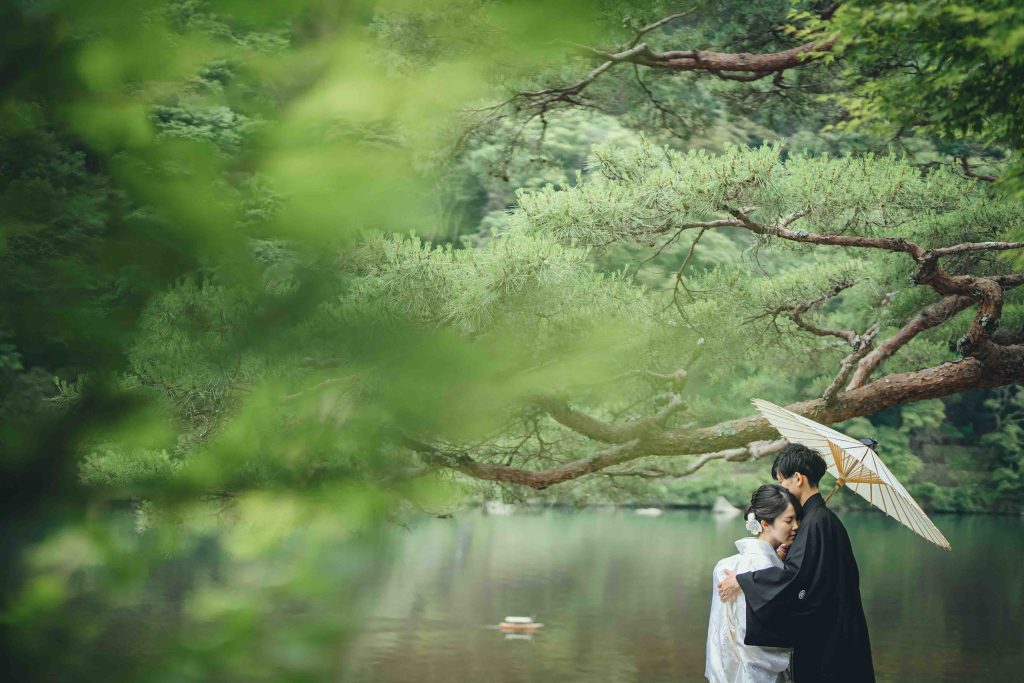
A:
[(814, 603)]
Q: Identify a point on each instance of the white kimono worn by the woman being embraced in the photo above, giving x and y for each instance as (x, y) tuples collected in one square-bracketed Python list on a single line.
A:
[(729, 660)]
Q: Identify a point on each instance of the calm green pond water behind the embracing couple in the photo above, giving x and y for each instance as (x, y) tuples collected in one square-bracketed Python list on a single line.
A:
[(626, 599)]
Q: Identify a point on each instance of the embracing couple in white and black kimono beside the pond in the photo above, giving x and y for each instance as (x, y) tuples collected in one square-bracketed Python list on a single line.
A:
[(788, 607)]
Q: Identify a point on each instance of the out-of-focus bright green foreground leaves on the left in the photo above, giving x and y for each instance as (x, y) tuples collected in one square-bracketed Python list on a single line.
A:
[(180, 182)]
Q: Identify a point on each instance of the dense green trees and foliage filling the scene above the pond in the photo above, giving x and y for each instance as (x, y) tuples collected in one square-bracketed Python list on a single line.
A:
[(314, 263)]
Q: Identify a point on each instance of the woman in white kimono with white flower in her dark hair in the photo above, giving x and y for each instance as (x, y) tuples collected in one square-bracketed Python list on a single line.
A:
[(772, 520)]
